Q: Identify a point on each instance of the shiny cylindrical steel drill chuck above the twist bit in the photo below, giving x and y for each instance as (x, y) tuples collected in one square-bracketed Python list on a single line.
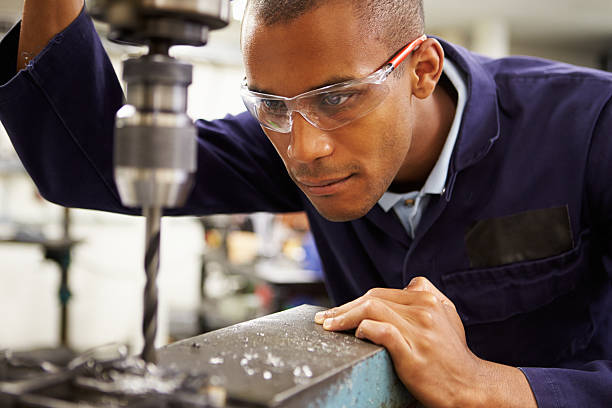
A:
[(155, 140)]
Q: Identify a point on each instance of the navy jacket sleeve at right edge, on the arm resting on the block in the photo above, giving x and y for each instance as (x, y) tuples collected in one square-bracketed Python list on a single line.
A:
[(589, 384)]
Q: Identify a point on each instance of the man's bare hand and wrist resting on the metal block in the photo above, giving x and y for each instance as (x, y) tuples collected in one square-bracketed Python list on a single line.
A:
[(422, 331)]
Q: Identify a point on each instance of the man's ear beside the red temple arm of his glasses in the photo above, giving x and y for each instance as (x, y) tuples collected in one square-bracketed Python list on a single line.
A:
[(426, 68)]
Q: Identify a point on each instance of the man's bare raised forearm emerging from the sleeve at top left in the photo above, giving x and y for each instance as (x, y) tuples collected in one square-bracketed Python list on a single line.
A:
[(42, 20)]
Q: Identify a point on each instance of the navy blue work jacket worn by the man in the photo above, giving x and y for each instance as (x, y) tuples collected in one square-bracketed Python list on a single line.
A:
[(520, 240)]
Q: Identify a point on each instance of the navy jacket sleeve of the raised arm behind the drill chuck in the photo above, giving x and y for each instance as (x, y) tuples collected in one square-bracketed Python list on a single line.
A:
[(59, 114)]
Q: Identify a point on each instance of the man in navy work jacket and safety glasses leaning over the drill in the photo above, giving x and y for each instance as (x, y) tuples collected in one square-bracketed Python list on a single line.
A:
[(475, 190)]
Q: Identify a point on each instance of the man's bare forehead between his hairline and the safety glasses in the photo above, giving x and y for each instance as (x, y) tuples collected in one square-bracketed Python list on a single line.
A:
[(317, 49)]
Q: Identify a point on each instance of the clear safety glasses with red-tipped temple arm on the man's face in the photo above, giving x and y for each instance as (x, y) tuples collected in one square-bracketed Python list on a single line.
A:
[(329, 107)]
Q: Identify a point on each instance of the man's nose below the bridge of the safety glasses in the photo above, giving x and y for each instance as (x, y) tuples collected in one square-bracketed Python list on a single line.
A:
[(307, 143)]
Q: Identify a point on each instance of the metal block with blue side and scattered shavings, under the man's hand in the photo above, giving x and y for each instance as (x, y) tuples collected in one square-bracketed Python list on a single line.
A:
[(287, 360)]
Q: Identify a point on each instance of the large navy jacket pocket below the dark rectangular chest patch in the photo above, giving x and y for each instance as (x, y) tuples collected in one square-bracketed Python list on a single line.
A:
[(526, 313)]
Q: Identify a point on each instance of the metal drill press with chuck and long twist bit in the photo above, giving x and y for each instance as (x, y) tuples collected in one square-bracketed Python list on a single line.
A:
[(155, 141)]
